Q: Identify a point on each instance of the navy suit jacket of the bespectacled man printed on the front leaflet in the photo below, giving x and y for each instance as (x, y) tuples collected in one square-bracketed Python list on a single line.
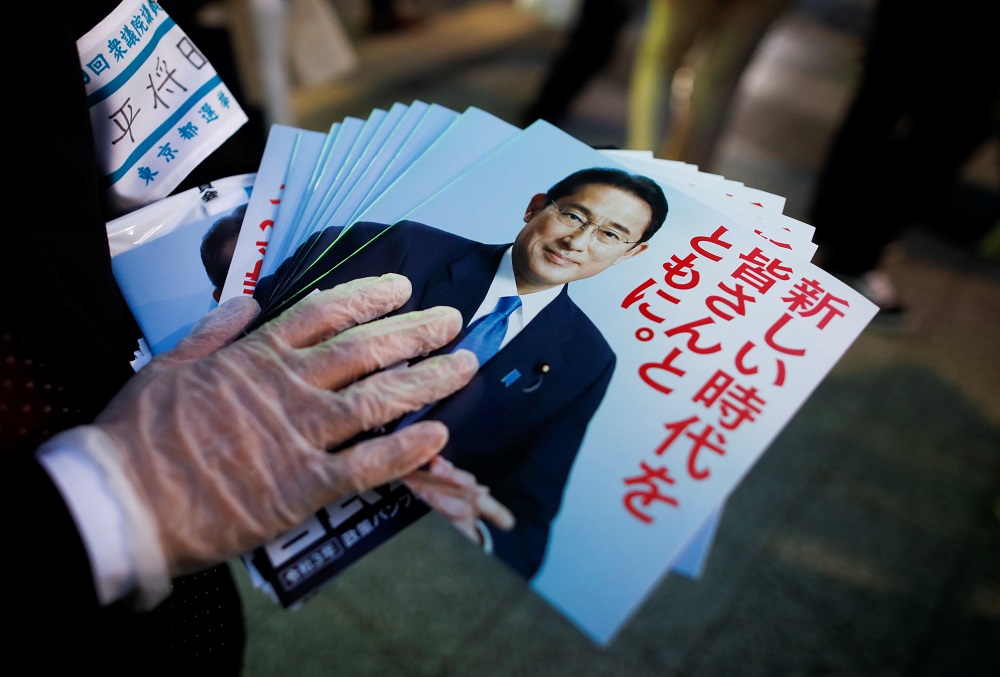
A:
[(517, 439)]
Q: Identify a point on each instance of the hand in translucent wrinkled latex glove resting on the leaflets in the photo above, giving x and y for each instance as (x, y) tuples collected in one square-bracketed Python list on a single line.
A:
[(214, 450)]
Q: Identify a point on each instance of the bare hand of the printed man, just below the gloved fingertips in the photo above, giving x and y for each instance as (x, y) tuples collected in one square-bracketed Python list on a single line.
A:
[(457, 495)]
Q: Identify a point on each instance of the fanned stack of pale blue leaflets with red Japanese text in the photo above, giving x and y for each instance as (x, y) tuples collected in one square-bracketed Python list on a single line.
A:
[(715, 331)]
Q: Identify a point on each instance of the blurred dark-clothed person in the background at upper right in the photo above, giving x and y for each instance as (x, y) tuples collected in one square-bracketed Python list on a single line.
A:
[(927, 100)]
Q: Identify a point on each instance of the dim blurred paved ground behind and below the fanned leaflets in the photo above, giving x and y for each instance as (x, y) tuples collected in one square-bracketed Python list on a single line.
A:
[(867, 539)]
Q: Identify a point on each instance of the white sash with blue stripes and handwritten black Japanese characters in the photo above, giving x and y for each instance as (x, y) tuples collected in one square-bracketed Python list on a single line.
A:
[(157, 106)]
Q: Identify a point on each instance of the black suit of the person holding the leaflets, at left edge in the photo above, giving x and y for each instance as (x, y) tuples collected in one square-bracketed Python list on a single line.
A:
[(68, 336)]
